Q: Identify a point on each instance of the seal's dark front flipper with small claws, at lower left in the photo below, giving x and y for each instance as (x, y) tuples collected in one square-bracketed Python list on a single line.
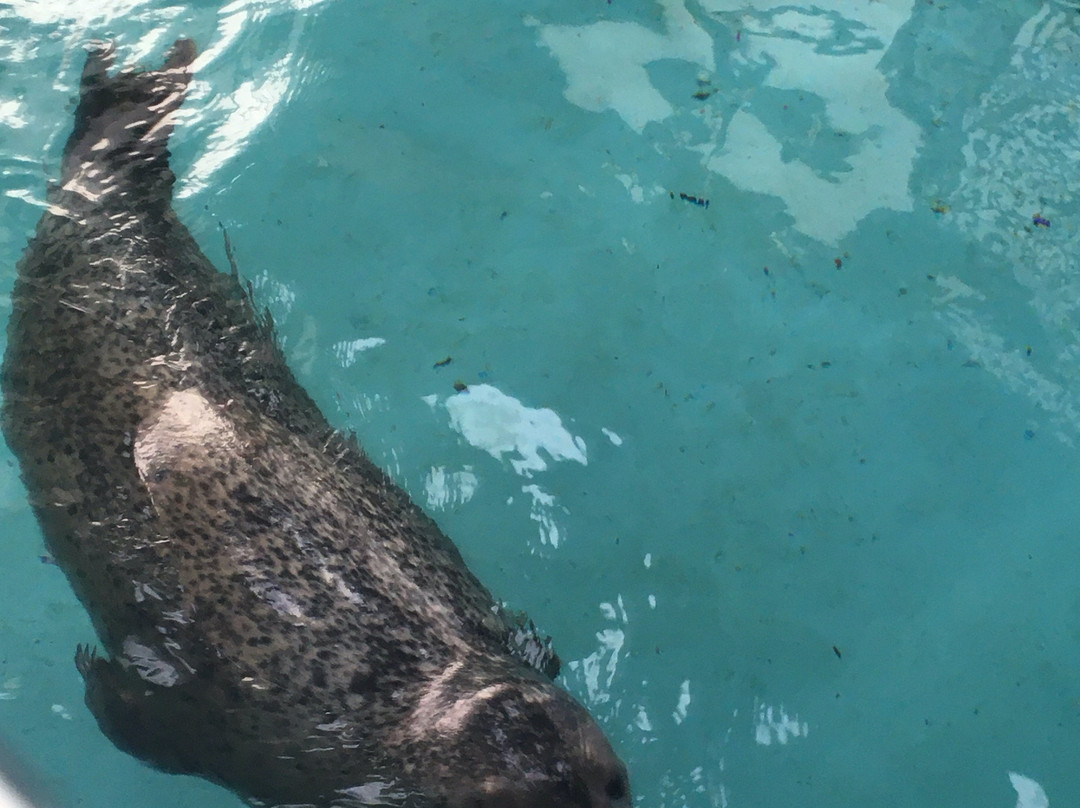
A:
[(141, 719)]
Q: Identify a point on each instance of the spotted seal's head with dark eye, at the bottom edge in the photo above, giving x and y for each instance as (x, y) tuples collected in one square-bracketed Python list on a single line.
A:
[(517, 742)]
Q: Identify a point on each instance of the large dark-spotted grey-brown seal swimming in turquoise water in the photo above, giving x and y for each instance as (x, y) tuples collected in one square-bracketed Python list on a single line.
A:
[(277, 615)]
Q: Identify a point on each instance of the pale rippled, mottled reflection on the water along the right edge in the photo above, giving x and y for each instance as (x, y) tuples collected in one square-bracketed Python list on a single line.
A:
[(1015, 199)]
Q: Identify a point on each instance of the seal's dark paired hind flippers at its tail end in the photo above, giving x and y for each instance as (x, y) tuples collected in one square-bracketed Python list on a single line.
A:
[(126, 119)]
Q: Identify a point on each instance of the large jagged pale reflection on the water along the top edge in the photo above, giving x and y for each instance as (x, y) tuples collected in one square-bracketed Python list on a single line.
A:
[(862, 150)]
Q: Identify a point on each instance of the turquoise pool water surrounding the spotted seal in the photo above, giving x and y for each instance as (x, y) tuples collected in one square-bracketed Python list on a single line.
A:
[(791, 478)]
